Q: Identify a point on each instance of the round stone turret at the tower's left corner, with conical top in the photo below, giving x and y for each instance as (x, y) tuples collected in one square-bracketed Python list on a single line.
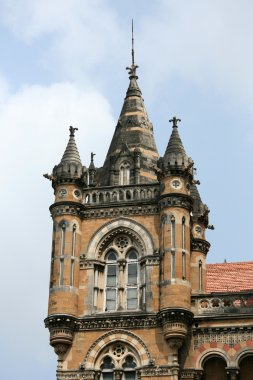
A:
[(68, 179)]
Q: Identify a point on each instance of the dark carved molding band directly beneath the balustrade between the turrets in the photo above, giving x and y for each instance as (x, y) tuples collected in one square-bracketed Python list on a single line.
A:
[(110, 211)]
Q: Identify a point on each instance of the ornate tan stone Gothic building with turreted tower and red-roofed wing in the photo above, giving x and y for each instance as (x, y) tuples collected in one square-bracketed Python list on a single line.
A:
[(130, 293)]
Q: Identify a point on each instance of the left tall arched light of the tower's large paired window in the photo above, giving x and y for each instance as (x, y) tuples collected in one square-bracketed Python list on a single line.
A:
[(111, 281)]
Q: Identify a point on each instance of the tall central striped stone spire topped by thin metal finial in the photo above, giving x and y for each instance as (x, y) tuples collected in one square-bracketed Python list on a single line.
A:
[(136, 131)]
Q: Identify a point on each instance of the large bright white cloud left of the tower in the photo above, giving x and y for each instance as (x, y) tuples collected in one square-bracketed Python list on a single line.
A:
[(34, 133)]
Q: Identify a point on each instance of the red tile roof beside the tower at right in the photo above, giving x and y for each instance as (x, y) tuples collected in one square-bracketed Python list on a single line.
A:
[(229, 277)]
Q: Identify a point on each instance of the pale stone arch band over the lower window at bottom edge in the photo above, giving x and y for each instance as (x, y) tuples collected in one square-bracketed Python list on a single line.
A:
[(122, 336)]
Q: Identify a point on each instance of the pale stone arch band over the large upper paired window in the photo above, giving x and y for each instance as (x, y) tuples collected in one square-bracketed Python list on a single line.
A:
[(130, 226)]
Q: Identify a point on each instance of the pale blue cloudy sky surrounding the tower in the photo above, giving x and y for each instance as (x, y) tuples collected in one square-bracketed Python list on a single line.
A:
[(63, 63)]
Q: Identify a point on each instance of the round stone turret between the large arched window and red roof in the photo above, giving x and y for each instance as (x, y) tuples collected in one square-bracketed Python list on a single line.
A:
[(175, 173)]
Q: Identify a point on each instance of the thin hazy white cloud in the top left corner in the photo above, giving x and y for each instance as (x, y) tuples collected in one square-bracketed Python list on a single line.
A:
[(80, 34)]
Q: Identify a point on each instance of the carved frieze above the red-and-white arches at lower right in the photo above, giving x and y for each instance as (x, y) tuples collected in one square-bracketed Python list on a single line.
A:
[(225, 335)]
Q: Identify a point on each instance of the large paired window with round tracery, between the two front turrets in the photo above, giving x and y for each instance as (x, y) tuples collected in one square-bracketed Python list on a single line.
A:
[(119, 279)]
